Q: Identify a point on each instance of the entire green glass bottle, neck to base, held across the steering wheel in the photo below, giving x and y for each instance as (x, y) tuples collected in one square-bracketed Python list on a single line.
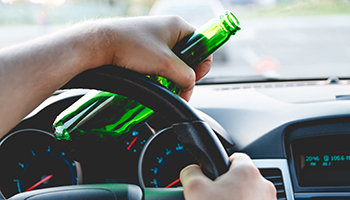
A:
[(102, 118)]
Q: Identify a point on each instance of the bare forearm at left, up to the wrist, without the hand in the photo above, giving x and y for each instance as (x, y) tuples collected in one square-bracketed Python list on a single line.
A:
[(31, 72)]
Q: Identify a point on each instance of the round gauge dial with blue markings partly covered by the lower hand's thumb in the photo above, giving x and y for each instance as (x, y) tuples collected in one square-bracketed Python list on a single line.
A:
[(162, 159)]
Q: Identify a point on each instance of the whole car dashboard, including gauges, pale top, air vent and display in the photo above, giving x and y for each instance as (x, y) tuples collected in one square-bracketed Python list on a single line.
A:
[(296, 132)]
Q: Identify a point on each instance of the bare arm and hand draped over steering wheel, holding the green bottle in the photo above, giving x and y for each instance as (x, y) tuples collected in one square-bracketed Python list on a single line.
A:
[(31, 72)]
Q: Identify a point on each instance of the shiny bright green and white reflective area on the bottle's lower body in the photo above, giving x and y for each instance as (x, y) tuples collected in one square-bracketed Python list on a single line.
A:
[(102, 114)]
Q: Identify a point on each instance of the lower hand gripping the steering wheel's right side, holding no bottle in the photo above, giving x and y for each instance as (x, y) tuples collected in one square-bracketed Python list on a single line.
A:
[(243, 181)]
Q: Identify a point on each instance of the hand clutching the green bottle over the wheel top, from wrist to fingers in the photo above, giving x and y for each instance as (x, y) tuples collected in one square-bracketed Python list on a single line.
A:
[(144, 44)]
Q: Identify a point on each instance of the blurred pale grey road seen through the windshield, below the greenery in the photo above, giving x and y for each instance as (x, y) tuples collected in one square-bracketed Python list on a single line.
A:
[(280, 48)]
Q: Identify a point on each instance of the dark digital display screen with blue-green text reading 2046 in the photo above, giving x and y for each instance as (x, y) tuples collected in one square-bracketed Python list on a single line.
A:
[(322, 160)]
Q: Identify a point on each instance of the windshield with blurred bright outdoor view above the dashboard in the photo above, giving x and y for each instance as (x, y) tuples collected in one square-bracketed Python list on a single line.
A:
[(280, 39)]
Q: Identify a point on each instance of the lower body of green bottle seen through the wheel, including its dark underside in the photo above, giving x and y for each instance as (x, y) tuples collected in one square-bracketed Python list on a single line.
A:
[(96, 121)]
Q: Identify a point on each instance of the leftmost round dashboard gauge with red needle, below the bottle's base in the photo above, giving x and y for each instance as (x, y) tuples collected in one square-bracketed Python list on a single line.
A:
[(31, 159)]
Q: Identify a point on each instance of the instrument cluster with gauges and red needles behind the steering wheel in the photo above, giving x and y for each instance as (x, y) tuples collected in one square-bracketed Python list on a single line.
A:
[(31, 158)]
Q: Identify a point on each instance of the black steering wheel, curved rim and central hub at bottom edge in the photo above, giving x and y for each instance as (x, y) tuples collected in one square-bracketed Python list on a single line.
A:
[(192, 131)]
